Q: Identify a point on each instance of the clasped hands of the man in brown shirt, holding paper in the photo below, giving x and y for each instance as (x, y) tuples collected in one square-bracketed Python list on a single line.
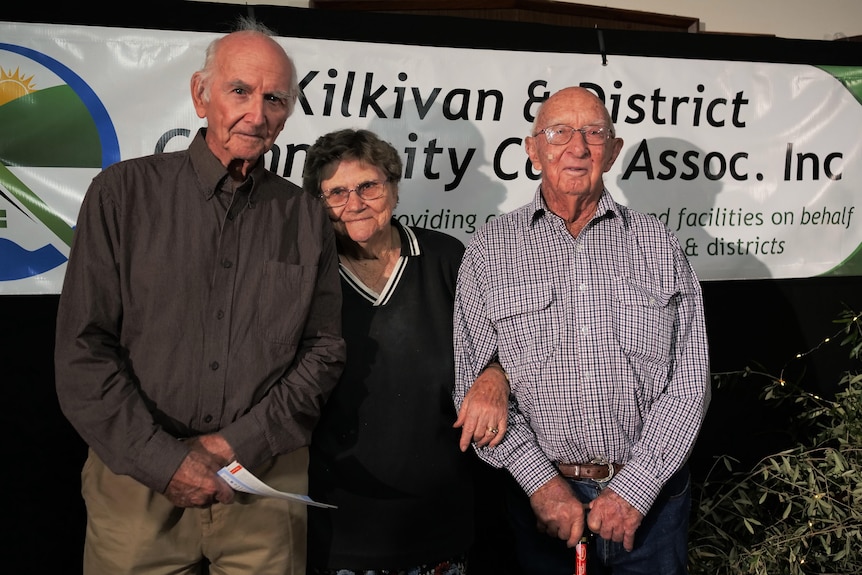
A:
[(196, 482)]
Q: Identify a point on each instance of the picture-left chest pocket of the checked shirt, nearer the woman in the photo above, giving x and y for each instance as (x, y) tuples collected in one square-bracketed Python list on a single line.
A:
[(527, 323)]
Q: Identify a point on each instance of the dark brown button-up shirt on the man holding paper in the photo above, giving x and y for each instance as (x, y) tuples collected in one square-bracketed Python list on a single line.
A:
[(191, 306)]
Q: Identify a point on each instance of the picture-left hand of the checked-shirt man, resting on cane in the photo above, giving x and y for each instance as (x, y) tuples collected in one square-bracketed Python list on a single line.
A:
[(559, 513)]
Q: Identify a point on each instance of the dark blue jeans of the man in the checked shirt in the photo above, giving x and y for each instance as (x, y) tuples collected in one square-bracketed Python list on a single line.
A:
[(661, 542)]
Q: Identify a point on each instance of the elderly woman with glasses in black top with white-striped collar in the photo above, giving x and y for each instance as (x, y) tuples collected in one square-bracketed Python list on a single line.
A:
[(386, 451)]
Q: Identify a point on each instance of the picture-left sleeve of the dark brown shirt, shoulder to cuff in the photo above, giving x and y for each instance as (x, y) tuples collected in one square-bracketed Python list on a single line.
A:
[(93, 376)]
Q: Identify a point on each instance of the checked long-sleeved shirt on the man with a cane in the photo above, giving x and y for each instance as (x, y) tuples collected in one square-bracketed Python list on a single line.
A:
[(602, 336)]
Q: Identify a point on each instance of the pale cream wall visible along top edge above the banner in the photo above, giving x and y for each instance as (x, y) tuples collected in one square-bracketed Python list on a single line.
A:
[(799, 19)]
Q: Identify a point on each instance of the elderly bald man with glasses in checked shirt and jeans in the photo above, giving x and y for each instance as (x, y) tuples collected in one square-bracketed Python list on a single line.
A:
[(596, 316)]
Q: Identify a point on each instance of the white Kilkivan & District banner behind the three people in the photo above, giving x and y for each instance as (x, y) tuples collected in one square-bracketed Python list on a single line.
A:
[(755, 166)]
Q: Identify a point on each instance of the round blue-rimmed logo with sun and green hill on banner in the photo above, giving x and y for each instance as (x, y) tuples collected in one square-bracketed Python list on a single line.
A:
[(55, 135)]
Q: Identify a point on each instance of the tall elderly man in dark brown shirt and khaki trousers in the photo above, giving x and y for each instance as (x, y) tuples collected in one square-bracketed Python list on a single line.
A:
[(199, 323)]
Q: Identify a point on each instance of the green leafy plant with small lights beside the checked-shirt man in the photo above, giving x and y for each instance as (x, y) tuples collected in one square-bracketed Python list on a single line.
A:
[(798, 511)]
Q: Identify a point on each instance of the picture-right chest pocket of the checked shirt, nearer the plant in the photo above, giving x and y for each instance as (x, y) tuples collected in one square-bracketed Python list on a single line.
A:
[(644, 321)]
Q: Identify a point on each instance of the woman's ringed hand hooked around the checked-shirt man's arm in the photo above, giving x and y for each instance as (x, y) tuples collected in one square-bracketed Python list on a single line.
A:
[(485, 407)]
